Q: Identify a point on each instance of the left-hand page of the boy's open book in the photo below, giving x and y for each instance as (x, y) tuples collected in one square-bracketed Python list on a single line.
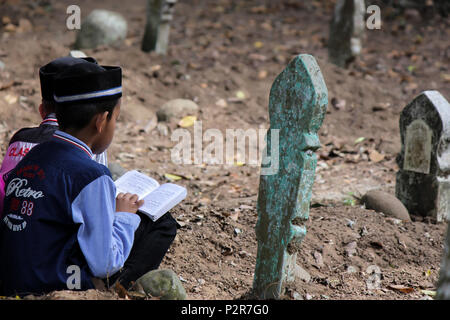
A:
[(136, 183)]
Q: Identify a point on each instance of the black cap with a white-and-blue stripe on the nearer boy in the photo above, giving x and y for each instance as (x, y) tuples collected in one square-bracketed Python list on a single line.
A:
[(88, 82)]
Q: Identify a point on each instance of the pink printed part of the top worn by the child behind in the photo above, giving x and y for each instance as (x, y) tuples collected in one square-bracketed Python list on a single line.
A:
[(16, 151)]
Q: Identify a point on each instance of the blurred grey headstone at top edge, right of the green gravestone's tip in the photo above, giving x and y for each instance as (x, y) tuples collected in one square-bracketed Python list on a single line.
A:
[(346, 31)]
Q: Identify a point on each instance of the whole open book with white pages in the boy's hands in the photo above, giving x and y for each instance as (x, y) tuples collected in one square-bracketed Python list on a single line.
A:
[(158, 199)]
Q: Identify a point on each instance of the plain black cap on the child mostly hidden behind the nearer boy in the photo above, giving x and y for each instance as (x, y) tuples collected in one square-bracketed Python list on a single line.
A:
[(48, 72)]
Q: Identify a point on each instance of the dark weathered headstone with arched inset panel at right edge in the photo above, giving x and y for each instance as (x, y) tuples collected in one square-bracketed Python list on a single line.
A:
[(423, 181)]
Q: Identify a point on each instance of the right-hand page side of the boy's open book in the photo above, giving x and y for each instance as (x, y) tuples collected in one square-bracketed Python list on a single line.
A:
[(162, 200)]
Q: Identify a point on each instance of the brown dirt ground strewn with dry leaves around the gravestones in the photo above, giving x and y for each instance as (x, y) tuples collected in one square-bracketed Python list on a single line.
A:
[(221, 49)]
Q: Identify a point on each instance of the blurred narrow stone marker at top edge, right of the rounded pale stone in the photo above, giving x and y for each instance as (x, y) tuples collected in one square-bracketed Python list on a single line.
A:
[(157, 29)]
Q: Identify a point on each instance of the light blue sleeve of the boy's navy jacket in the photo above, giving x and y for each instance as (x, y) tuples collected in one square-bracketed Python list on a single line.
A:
[(105, 236)]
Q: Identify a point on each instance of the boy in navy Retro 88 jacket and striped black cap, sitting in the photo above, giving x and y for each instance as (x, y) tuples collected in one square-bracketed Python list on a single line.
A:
[(60, 208)]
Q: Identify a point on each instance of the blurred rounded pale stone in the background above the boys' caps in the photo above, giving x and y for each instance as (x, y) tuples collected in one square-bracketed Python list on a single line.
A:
[(101, 27)]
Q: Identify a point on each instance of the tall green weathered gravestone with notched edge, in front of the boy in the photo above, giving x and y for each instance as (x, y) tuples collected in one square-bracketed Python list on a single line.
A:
[(297, 106)]
